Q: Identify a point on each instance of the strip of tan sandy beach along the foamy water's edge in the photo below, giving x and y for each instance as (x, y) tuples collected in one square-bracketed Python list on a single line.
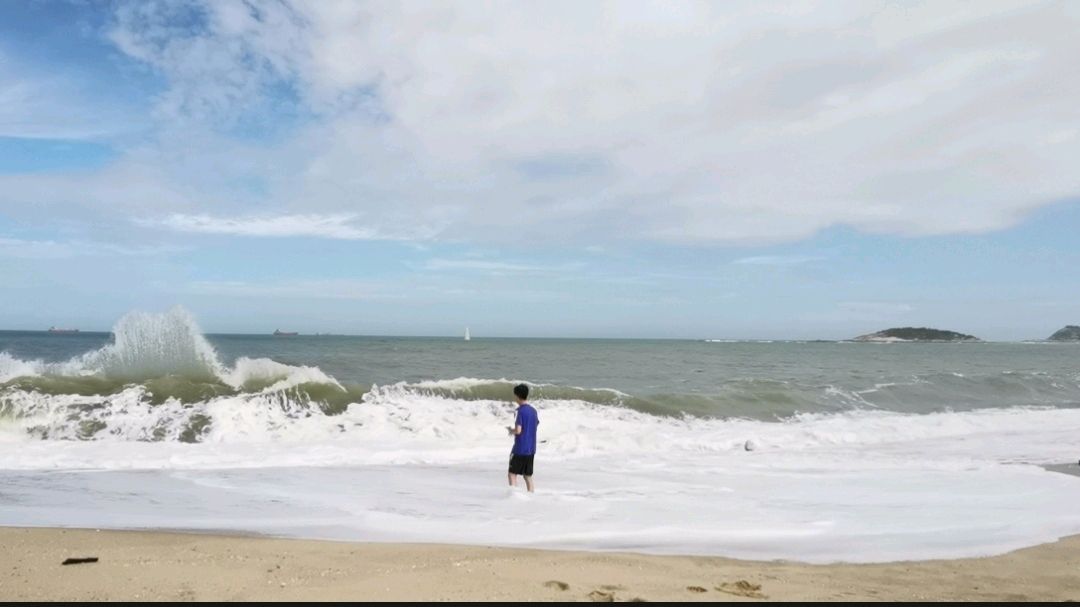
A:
[(168, 566)]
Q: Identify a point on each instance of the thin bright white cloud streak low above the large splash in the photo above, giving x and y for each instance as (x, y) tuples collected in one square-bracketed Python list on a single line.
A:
[(342, 226)]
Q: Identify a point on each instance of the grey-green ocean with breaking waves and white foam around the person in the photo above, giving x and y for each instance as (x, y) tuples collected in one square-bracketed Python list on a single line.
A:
[(818, 452)]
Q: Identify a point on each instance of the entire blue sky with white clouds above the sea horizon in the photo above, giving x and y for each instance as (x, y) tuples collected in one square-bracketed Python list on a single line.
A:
[(630, 169)]
